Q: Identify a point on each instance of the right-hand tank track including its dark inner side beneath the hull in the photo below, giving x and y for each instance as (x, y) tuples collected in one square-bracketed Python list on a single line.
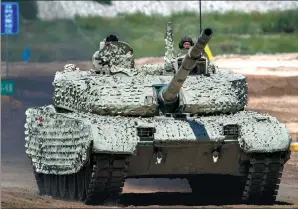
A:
[(259, 183)]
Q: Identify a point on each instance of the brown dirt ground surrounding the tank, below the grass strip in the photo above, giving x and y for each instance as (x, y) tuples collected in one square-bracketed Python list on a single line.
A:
[(274, 93)]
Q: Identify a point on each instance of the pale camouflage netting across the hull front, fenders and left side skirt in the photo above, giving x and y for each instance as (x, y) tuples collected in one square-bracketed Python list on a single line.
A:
[(59, 143)]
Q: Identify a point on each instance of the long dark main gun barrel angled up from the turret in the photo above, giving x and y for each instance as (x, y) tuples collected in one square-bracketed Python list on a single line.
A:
[(169, 94)]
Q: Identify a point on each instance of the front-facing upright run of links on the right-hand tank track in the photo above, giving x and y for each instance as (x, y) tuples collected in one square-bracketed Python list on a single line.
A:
[(264, 176)]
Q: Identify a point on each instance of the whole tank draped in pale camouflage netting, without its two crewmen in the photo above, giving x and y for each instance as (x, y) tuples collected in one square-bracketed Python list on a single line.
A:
[(183, 119)]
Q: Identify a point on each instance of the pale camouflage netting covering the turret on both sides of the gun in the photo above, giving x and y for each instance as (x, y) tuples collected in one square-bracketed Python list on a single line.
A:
[(85, 91)]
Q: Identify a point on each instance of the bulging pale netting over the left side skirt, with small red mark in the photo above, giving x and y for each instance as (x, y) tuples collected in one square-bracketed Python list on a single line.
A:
[(57, 144)]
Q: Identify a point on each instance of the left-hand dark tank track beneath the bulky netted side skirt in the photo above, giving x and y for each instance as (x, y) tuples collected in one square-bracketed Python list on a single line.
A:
[(101, 180)]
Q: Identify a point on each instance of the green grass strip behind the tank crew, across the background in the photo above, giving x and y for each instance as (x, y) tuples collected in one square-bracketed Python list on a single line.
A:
[(63, 40)]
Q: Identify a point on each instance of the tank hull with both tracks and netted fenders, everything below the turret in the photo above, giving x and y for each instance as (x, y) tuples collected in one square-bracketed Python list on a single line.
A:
[(87, 157)]
